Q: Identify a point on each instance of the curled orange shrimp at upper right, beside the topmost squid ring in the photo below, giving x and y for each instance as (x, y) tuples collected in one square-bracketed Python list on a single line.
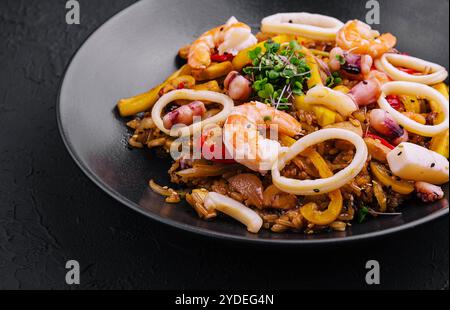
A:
[(361, 39)]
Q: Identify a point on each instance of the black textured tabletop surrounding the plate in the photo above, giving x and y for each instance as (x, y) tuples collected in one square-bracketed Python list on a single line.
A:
[(50, 212)]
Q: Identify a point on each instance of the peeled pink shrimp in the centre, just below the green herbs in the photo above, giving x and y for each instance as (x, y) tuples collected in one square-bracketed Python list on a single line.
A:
[(246, 144)]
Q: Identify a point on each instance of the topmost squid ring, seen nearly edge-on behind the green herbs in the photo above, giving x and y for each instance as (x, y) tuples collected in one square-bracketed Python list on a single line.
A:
[(311, 26)]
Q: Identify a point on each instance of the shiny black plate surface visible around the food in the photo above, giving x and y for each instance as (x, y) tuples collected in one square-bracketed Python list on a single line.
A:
[(136, 49)]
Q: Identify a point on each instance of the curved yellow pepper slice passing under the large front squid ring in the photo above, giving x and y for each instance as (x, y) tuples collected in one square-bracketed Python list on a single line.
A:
[(310, 211)]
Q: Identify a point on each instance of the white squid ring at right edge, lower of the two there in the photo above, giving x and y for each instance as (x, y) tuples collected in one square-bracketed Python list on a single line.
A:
[(420, 90)]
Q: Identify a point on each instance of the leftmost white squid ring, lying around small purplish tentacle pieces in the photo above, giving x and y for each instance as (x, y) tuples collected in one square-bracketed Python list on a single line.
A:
[(189, 94)]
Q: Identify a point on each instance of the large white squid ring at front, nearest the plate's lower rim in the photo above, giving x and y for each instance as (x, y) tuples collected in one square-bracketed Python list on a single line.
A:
[(320, 186)]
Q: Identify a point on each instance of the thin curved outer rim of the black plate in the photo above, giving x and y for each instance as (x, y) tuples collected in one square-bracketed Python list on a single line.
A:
[(200, 230)]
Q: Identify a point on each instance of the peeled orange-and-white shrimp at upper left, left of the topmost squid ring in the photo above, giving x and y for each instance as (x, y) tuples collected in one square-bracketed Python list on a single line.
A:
[(230, 38)]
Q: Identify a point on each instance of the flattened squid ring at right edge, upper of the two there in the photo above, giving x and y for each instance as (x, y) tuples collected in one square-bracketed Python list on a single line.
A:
[(388, 62)]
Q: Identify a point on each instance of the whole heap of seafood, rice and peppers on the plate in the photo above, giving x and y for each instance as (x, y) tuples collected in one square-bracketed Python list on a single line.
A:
[(310, 125)]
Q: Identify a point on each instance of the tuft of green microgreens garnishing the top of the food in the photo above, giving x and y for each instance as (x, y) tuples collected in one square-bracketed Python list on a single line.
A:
[(278, 73)]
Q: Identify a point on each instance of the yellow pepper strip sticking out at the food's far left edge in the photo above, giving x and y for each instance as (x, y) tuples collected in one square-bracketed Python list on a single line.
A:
[(144, 102)]
